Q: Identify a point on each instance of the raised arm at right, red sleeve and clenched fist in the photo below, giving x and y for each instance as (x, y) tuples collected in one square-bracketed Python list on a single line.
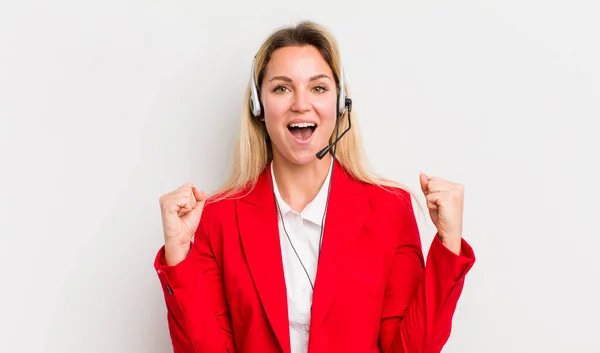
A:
[(421, 297)]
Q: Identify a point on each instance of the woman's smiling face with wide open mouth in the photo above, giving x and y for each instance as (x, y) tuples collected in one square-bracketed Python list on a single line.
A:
[(299, 97)]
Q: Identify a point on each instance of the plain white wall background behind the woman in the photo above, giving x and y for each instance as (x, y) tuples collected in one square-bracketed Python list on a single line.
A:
[(105, 105)]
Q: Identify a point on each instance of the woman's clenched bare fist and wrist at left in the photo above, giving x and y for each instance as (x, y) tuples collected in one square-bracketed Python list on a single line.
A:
[(181, 210)]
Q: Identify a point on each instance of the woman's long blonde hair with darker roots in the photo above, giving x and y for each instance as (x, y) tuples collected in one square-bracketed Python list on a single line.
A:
[(253, 150)]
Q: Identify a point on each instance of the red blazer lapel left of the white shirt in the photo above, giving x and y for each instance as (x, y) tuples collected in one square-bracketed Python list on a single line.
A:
[(259, 233)]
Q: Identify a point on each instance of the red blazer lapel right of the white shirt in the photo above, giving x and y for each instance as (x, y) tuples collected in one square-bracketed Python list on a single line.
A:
[(343, 224)]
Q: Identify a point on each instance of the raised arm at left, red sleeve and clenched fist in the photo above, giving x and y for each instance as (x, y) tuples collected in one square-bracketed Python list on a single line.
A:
[(192, 281)]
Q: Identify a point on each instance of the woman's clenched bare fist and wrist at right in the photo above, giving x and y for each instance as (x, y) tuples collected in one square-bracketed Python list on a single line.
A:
[(445, 204)]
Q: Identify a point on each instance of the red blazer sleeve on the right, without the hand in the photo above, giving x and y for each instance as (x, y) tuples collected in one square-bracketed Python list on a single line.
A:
[(421, 298)]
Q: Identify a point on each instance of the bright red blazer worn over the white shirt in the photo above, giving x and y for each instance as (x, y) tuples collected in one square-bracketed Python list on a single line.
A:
[(373, 291)]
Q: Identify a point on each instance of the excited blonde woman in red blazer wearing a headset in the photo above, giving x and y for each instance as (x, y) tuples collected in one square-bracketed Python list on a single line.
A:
[(249, 280)]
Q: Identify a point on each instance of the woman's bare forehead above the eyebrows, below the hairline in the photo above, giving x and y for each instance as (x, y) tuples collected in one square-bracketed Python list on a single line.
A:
[(297, 62)]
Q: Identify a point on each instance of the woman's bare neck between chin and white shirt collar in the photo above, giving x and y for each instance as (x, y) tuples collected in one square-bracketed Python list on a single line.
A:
[(300, 184)]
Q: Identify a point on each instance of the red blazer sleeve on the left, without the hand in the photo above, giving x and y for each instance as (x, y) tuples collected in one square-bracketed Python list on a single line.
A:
[(197, 311)]
